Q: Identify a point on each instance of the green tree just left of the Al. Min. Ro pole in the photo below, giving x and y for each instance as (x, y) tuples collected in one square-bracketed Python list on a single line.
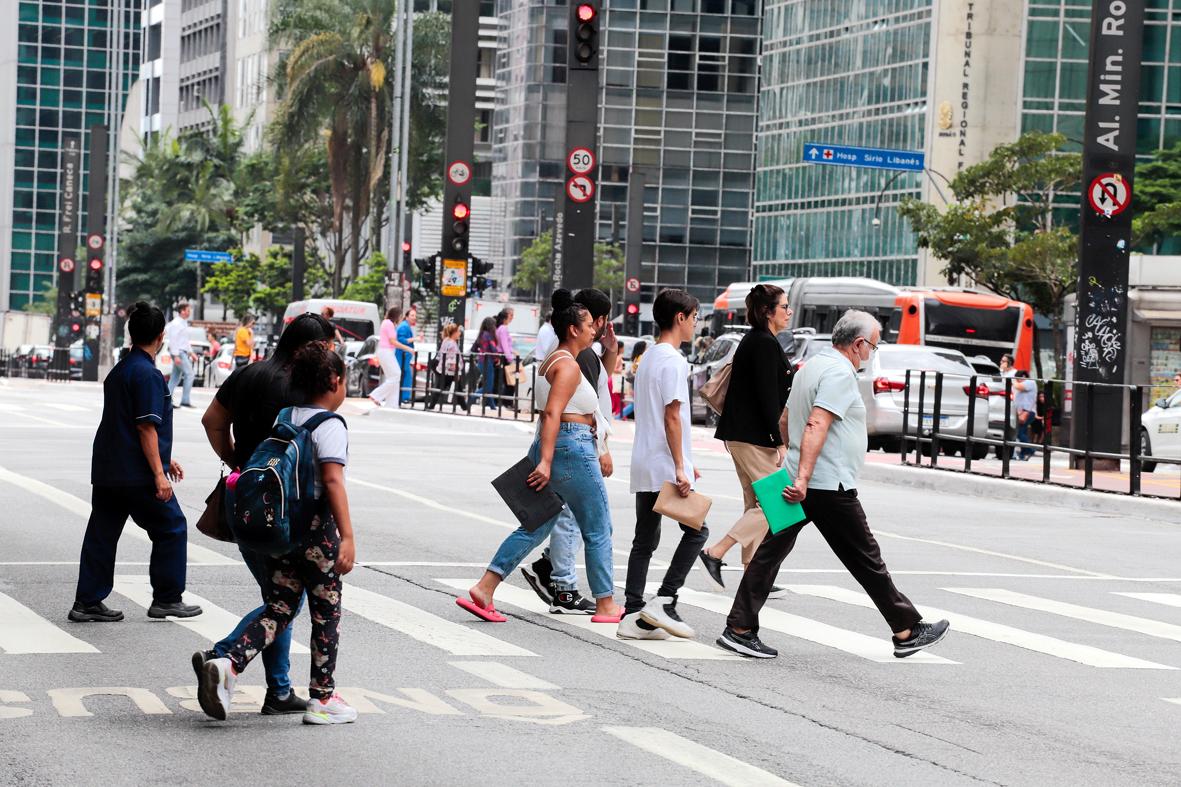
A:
[(1001, 233)]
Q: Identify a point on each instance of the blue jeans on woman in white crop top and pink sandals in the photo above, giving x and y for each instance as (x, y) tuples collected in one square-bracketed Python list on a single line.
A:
[(577, 478)]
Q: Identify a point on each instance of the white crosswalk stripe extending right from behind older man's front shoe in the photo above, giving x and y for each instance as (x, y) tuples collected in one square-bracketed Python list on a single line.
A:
[(999, 633)]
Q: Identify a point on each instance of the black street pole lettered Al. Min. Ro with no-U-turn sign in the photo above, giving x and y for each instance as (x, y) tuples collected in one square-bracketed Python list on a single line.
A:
[(1110, 159)]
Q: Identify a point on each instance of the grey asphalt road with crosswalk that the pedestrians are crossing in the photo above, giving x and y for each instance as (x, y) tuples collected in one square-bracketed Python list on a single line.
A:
[(1061, 668)]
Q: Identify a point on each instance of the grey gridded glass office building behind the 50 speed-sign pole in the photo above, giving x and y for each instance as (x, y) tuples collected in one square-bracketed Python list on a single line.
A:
[(678, 102)]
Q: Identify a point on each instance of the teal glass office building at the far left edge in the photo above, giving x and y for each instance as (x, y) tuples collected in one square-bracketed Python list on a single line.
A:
[(70, 63)]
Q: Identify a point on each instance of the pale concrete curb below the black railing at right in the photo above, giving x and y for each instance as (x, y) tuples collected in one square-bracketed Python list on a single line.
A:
[(1028, 492)]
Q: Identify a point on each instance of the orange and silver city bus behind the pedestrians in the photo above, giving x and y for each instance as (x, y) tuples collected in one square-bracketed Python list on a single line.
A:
[(973, 322)]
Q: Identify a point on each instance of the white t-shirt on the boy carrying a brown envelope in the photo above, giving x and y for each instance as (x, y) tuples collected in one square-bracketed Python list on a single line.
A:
[(662, 380)]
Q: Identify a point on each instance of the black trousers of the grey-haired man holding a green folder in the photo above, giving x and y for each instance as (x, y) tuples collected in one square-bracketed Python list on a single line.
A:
[(841, 521)]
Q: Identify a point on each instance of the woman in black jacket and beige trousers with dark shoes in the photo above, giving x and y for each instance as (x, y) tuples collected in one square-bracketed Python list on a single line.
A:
[(751, 421)]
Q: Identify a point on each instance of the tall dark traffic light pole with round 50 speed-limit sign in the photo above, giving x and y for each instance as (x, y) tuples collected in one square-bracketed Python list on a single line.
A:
[(575, 253)]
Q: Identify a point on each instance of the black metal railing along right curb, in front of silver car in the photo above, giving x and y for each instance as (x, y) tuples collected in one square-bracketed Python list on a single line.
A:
[(929, 444)]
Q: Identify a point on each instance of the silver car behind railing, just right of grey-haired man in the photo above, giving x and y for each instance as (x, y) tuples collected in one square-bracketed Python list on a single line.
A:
[(884, 391)]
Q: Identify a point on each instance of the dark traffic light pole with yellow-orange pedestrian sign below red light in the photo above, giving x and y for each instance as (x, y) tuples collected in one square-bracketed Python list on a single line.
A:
[(461, 142)]
